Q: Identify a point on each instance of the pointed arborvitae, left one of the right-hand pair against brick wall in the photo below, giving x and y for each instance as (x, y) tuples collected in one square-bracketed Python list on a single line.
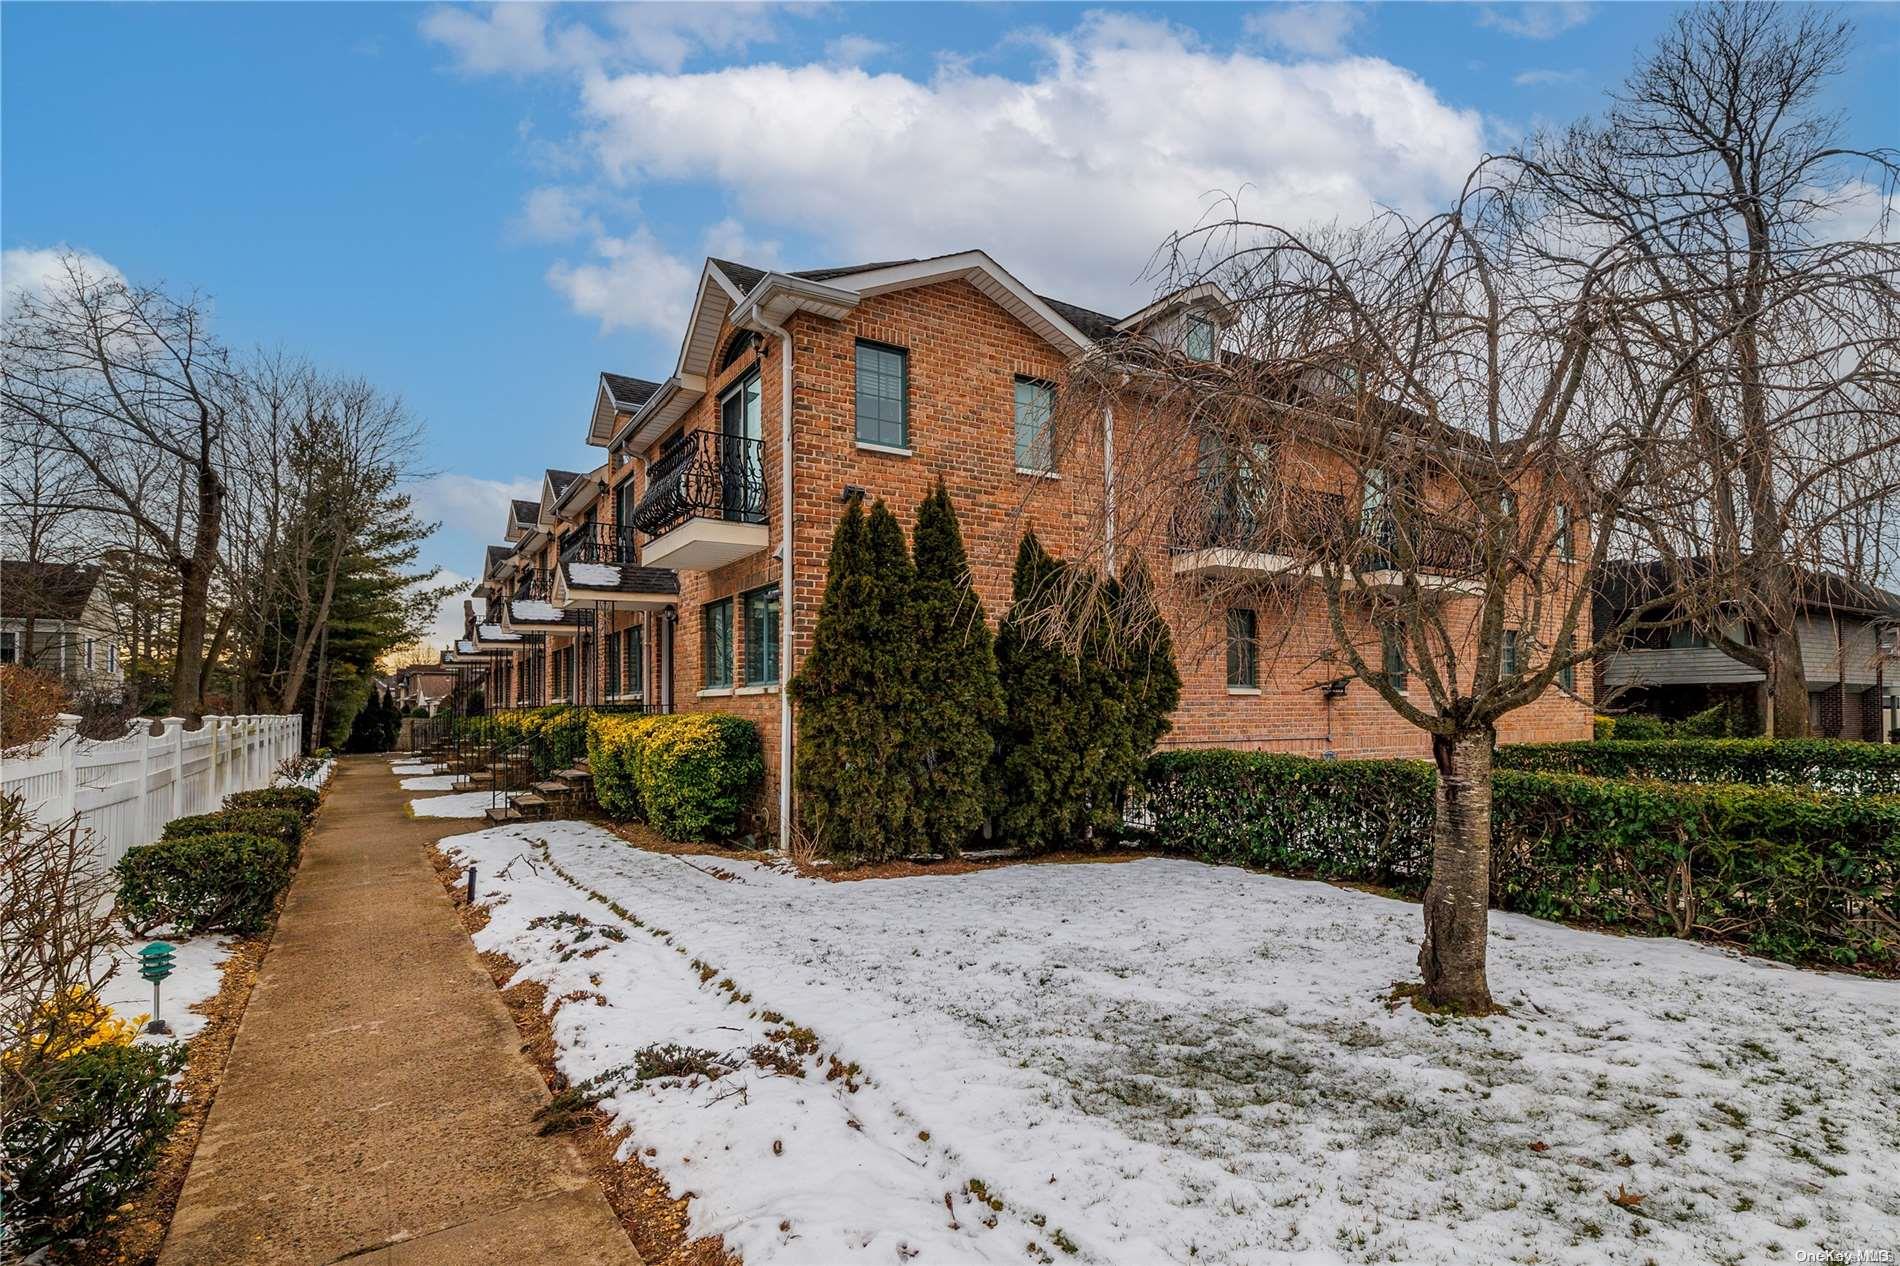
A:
[(1042, 746)]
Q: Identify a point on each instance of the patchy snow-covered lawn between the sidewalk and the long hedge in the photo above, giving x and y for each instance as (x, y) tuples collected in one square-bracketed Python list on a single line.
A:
[(1171, 1062)]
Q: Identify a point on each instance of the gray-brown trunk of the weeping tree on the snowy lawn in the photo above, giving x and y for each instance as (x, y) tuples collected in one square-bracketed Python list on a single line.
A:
[(1460, 892)]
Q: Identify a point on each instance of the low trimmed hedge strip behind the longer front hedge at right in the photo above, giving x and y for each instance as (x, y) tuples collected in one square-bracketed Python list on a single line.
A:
[(1827, 765)]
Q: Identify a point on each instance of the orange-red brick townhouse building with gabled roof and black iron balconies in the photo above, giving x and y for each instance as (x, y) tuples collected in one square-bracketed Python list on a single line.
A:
[(674, 577)]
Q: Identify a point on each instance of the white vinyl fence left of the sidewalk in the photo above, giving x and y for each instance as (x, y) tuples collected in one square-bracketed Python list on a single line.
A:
[(128, 790)]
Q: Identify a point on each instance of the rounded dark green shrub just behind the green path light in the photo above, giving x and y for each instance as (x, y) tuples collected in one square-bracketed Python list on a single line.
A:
[(204, 883)]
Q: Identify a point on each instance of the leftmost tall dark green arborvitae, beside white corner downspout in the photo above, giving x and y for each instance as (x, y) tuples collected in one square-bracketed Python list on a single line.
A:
[(858, 699)]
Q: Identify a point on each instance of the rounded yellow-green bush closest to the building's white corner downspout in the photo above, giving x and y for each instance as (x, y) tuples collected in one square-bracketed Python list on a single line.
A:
[(687, 775)]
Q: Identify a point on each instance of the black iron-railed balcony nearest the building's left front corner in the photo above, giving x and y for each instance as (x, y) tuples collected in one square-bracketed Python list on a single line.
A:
[(706, 505)]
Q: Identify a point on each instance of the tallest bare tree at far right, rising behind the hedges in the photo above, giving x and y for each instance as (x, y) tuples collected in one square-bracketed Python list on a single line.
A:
[(1719, 161)]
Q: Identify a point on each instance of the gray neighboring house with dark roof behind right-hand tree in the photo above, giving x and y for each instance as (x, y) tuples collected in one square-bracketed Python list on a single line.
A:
[(1850, 655)]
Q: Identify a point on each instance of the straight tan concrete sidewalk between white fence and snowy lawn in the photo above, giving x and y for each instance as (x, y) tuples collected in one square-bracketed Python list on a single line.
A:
[(377, 1105)]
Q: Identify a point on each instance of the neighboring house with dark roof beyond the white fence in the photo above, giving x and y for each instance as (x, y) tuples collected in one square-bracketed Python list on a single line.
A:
[(54, 617)]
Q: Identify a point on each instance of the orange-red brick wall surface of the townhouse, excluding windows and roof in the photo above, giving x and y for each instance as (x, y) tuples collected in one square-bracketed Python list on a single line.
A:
[(964, 356)]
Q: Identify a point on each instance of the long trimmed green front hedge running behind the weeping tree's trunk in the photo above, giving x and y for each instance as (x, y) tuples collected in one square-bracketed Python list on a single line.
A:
[(1789, 873)]
